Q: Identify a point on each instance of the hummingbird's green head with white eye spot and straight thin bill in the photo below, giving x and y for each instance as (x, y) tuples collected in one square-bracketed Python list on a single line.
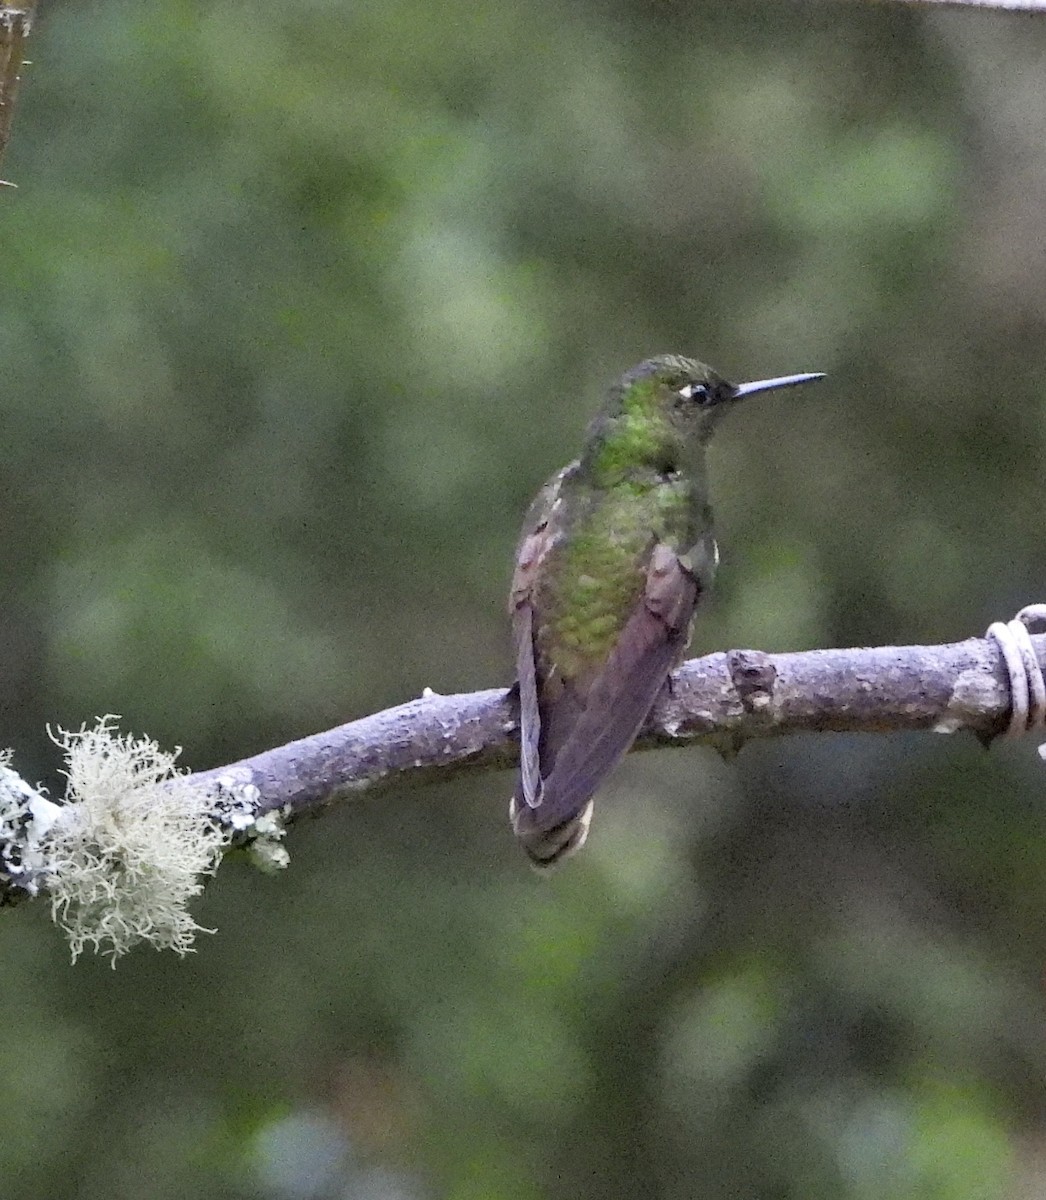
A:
[(687, 394)]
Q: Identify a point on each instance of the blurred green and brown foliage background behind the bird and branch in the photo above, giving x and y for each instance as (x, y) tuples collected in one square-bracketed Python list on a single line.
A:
[(299, 305)]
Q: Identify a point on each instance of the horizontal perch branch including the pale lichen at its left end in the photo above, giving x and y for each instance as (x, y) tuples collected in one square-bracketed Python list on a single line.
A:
[(128, 850)]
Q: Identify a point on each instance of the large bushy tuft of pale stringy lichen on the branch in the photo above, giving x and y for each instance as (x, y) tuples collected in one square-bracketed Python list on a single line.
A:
[(131, 845)]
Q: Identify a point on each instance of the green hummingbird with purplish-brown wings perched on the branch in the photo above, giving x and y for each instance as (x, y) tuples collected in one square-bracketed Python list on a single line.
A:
[(616, 553)]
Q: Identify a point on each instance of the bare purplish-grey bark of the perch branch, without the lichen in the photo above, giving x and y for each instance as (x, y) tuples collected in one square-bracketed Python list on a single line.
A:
[(724, 700)]
